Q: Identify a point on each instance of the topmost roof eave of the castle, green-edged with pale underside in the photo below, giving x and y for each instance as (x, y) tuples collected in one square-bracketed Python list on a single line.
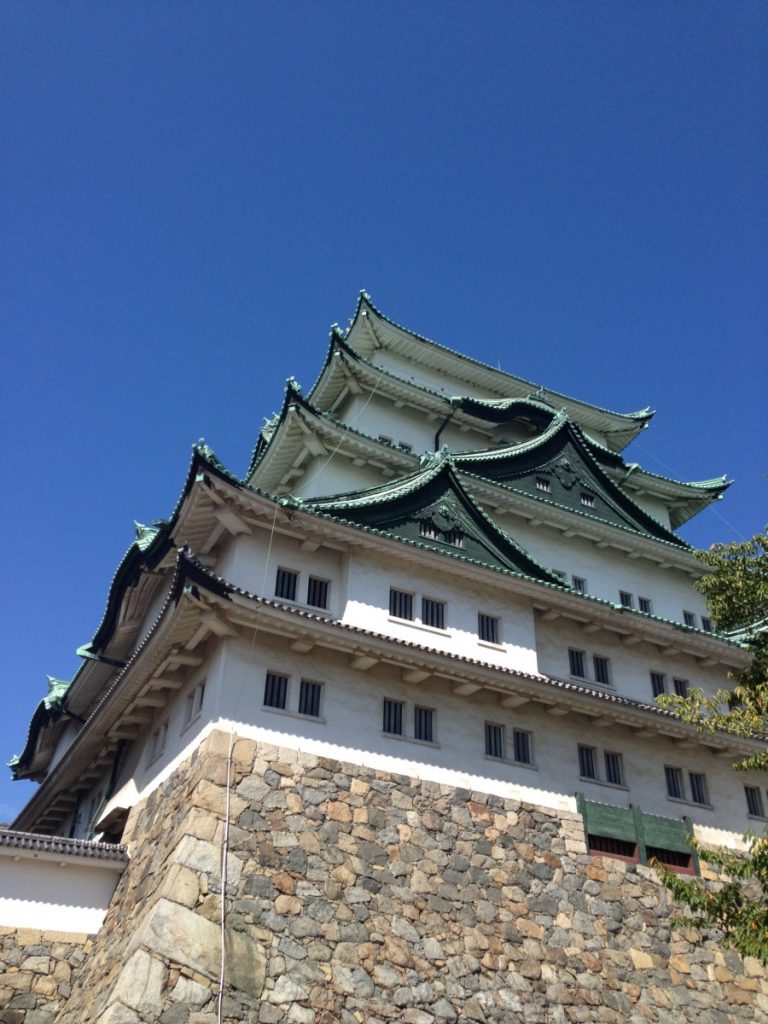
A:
[(623, 428)]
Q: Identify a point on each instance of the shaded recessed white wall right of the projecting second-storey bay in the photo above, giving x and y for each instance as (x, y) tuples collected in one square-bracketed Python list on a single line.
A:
[(630, 667)]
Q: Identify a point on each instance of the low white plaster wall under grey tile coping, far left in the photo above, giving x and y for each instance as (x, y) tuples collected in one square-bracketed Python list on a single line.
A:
[(61, 895)]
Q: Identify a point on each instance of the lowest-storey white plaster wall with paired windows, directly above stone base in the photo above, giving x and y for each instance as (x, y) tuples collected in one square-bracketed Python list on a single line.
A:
[(351, 729)]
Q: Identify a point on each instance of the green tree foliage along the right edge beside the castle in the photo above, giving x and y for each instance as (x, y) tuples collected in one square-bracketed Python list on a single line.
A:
[(737, 590)]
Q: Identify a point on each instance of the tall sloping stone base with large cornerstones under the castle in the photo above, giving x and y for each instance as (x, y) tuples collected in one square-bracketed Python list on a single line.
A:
[(359, 898)]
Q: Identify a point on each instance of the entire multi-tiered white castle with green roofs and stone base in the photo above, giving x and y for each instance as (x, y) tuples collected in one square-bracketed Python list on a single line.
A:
[(371, 734)]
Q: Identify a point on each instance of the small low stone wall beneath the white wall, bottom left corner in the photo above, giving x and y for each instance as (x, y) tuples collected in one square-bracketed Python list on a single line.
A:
[(36, 971)]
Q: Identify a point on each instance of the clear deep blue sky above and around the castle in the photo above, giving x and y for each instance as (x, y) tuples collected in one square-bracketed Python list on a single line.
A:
[(194, 192)]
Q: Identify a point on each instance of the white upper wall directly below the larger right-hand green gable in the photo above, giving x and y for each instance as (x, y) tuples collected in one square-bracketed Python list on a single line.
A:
[(608, 572)]
